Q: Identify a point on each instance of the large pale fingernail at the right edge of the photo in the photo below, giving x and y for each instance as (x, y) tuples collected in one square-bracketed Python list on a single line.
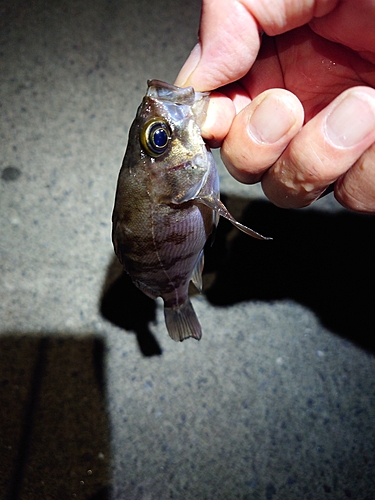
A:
[(351, 120)]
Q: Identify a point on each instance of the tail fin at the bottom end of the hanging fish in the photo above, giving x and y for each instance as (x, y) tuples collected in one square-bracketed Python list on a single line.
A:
[(182, 322)]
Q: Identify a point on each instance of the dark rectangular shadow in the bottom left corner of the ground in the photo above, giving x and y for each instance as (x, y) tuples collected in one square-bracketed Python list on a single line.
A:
[(54, 427)]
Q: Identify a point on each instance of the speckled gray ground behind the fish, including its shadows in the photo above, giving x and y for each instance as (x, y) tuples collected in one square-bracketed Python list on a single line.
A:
[(278, 399)]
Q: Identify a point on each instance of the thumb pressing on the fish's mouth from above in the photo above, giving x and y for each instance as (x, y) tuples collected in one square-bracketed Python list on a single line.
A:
[(228, 44)]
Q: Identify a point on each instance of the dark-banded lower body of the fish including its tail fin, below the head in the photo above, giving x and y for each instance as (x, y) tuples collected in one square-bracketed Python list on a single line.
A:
[(161, 254)]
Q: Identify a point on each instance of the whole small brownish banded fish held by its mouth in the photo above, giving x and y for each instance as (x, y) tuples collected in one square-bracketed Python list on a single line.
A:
[(167, 202)]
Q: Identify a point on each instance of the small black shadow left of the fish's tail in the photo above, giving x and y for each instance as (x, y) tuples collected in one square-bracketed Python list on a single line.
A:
[(124, 305)]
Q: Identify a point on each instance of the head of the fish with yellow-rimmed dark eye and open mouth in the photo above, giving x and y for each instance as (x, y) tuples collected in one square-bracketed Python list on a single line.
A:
[(167, 142)]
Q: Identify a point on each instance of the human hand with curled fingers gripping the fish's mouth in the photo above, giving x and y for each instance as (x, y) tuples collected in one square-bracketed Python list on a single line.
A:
[(294, 108)]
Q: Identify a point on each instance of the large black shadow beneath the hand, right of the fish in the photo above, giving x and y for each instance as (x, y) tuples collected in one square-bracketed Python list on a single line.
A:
[(322, 260)]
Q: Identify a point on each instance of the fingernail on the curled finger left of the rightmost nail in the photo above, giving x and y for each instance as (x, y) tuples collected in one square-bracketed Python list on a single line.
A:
[(271, 120)]
